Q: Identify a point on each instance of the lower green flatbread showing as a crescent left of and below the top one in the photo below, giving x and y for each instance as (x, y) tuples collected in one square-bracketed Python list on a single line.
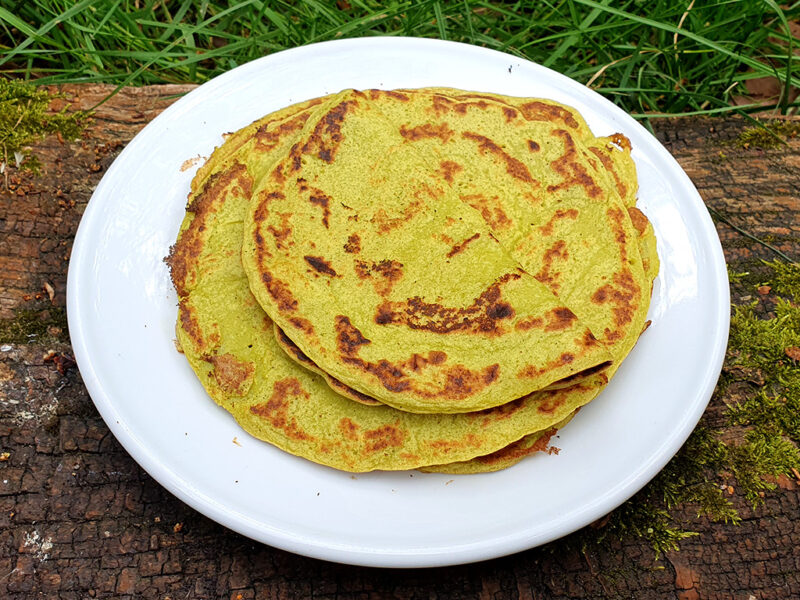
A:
[(229, 342)]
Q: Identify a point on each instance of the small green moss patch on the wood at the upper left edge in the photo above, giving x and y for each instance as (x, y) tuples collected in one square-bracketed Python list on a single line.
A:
[(25, 119)]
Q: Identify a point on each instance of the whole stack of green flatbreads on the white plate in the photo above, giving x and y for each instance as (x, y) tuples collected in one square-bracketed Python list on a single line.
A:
[(413, 279)]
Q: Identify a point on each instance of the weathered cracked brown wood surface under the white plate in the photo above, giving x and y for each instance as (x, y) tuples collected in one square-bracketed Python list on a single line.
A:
[(79, 518)]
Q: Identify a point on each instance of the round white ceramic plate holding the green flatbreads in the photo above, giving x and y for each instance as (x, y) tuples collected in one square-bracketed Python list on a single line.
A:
[(122, 311)]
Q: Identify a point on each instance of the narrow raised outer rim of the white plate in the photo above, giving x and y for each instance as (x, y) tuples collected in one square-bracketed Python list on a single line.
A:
[(464, 553)]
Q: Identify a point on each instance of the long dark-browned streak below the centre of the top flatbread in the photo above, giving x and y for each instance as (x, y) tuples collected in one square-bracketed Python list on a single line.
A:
[(482, 316)]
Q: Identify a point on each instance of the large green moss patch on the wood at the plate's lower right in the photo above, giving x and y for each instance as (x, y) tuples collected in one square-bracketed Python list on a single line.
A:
[(760, 384)]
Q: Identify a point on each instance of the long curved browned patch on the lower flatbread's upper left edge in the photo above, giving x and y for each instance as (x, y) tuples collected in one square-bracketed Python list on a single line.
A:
[(184, 255)]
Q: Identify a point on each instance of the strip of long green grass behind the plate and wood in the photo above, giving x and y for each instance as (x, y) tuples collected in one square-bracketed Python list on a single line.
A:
[(656, 57)]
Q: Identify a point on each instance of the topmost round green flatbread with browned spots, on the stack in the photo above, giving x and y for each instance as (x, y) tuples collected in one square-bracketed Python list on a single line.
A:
[(387, 259)]
